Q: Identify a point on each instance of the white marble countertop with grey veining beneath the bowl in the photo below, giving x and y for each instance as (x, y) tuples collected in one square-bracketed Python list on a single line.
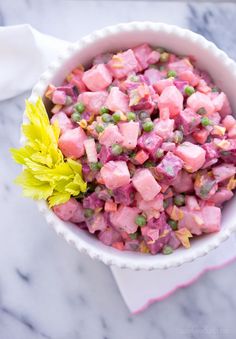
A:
[(49, 290)]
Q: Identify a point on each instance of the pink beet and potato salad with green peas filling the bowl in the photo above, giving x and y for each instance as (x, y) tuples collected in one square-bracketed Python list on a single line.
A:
[(157, 143)]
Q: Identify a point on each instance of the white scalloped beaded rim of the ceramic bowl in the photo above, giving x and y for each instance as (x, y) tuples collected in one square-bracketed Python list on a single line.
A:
[(83, 241)]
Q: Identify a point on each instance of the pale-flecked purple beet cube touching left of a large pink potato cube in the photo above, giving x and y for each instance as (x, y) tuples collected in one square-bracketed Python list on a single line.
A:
[(170, 166)]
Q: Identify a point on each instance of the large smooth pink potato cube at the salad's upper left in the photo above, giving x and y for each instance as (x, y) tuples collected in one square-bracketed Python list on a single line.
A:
[(97, 78)]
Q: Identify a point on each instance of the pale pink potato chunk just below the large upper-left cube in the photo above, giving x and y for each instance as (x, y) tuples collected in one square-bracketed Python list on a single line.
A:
[(93, 101)]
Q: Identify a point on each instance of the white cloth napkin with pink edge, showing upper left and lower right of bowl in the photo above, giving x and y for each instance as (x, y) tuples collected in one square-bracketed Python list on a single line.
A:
[(25, 53)]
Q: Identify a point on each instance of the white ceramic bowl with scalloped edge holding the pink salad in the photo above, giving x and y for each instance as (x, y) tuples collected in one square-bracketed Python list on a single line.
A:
[(123, 36)]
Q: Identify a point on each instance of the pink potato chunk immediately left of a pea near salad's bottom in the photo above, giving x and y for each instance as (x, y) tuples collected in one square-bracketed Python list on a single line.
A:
[(124, 219)]
